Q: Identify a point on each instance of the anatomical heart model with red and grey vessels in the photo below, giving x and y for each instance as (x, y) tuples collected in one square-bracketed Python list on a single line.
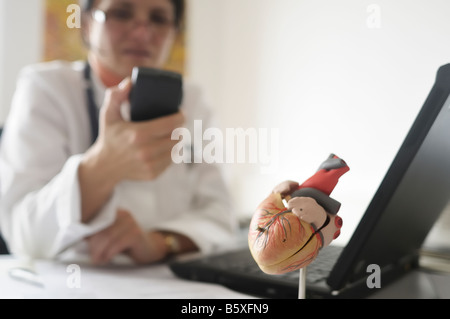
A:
[(283, 239)]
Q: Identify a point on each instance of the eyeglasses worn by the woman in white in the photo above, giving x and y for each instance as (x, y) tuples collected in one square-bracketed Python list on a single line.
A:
[(125, 19)]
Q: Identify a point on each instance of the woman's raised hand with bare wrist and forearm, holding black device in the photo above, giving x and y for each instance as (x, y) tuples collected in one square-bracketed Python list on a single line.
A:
[(123, 151)]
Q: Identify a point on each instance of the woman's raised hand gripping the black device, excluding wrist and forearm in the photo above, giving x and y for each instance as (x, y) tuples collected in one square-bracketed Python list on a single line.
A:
[(137, 150)]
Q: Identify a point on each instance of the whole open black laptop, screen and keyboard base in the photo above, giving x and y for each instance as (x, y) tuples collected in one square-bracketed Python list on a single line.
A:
[(410, 198)]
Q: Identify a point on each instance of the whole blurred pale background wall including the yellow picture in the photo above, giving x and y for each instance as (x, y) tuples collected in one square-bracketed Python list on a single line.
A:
[(332, 76)]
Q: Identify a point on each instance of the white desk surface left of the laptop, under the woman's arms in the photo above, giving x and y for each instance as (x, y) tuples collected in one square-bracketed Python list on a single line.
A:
[(112, 282)]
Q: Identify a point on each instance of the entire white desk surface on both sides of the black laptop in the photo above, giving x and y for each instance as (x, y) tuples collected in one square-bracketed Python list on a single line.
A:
[(158, 282)]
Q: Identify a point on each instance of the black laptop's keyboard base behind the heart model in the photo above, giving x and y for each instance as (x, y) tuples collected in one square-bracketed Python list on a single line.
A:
[(238, 270)]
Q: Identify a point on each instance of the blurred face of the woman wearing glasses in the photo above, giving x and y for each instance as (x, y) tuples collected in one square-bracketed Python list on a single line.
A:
[(127, 33)]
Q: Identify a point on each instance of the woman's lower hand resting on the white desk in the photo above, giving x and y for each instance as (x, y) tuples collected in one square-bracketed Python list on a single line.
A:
[(125, 236)]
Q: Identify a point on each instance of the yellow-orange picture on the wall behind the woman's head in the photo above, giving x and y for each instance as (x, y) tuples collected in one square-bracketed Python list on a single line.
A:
[(64, 42)]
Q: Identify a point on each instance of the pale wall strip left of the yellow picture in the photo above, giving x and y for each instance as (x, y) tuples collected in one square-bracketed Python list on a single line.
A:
[(21, 43)]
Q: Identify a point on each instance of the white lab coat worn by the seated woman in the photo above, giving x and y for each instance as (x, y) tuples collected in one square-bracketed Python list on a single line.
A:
[(45, 136)]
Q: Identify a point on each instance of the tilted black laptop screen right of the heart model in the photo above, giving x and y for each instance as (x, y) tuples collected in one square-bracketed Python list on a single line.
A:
[(414, 192)]
